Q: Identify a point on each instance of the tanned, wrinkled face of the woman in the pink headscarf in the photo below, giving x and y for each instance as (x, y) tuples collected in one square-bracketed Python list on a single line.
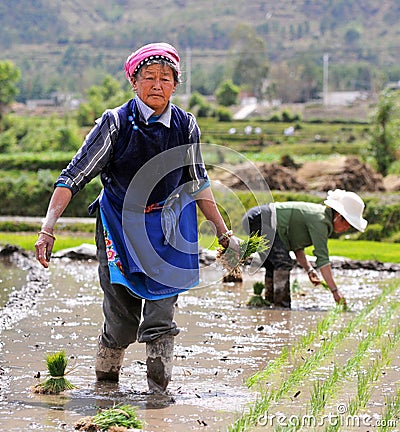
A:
[(155, 85)]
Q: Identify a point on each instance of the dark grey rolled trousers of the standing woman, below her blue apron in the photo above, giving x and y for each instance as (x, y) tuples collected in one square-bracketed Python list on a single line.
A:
[(123, 310)]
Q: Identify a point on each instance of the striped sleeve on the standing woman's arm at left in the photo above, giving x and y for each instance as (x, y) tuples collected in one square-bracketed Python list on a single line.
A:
[(94, 154)]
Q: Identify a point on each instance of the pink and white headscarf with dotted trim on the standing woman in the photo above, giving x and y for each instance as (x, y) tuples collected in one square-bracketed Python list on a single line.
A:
[(158, 50)]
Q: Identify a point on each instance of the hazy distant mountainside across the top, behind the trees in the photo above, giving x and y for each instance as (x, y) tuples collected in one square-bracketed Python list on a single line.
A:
[(77, 41)]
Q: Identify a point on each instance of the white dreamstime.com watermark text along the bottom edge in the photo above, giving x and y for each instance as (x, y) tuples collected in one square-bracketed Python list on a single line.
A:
[(340, 418)]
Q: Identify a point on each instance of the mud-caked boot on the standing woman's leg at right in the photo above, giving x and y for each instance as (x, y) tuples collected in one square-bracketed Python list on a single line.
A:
[(160, 353)]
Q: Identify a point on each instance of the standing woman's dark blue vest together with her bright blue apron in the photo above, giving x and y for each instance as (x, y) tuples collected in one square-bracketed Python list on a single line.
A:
[(162, 244)]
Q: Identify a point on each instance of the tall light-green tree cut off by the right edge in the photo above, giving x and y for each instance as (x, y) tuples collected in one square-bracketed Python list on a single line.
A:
[(385, 132)]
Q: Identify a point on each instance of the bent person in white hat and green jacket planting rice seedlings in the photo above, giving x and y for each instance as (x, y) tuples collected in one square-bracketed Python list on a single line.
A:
[(293, 226)]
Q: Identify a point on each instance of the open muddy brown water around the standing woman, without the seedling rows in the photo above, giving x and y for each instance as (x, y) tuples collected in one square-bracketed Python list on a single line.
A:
[(222, 343)]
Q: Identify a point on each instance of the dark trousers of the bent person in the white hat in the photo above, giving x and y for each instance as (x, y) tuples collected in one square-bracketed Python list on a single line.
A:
[(258, 220)]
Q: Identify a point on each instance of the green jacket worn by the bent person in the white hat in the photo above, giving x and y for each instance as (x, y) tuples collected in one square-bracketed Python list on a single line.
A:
[(302, 224)]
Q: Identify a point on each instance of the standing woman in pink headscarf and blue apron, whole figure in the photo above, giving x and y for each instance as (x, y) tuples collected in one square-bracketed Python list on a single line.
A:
[(147, 153)]
